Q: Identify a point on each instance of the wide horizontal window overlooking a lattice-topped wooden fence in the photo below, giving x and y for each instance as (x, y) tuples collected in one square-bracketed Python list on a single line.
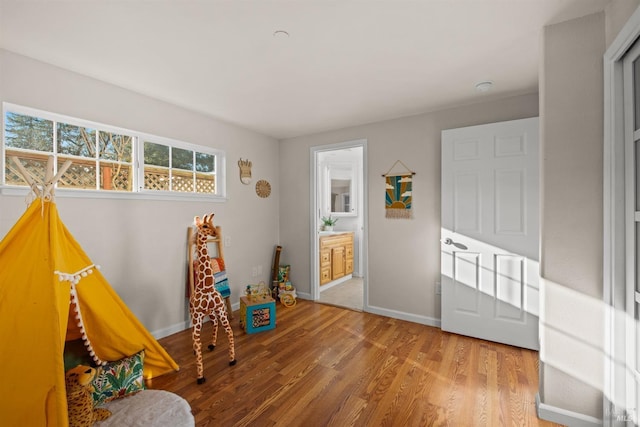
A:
[(104, 158)]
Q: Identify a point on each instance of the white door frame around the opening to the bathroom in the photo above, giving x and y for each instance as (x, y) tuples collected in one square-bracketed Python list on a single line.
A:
[(315, 224)]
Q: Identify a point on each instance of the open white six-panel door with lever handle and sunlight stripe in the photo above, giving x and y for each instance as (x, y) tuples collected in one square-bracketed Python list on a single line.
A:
[(490, 232)]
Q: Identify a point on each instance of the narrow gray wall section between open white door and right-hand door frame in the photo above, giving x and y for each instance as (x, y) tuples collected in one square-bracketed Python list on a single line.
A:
[(572, 111)]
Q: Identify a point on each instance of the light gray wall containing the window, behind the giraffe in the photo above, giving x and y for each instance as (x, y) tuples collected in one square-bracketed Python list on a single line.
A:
[(141, 244)]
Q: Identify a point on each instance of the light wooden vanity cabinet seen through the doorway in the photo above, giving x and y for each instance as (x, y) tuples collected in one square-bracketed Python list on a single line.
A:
[(336, 256)]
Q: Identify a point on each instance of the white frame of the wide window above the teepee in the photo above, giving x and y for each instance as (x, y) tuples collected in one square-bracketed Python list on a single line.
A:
[(137, 192)]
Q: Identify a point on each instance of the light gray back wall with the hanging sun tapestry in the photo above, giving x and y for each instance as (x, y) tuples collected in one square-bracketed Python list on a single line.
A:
[(404, 255)]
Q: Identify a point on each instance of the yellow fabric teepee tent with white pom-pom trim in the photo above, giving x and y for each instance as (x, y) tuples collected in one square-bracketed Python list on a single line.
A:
[(41, 266)]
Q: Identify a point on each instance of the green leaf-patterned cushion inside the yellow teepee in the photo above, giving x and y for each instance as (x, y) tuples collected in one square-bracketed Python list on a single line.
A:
[(119, 379)]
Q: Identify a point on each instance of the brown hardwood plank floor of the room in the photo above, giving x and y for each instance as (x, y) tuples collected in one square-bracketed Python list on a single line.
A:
[(327, 366)]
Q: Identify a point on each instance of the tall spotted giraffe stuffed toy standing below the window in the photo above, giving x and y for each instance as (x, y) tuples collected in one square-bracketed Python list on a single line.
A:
[(205, 299)]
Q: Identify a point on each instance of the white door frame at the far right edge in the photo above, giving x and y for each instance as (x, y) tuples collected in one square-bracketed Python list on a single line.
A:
[(614, 262)]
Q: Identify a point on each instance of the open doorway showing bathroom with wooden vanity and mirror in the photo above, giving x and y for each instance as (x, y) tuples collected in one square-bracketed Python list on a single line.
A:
[(339, 252)]
